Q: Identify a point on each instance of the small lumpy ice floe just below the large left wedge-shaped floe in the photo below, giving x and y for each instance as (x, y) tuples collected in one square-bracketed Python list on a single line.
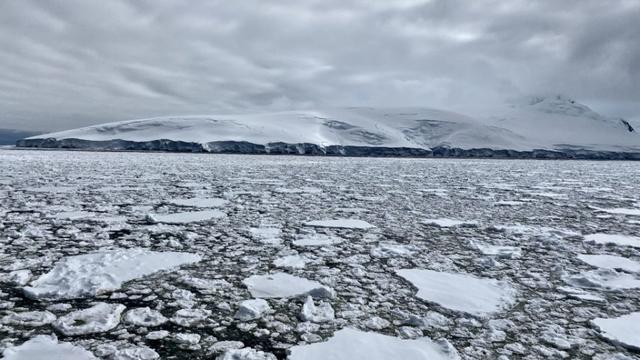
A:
[(101, 317)]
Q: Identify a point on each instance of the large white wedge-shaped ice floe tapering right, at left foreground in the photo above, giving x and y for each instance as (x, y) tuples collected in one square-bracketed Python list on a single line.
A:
[(91, 274)]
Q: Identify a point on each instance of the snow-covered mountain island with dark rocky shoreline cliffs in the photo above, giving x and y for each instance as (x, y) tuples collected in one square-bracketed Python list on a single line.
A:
[(540, 123)]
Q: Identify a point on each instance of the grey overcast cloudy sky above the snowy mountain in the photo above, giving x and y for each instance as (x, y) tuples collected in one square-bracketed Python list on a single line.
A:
[(72, 63)]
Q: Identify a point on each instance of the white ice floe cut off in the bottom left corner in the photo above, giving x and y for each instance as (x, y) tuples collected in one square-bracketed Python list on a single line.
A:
[(44, 347)]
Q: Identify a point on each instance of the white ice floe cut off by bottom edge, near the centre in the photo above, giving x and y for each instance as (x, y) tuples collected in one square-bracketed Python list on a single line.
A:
[(353, 344)]
